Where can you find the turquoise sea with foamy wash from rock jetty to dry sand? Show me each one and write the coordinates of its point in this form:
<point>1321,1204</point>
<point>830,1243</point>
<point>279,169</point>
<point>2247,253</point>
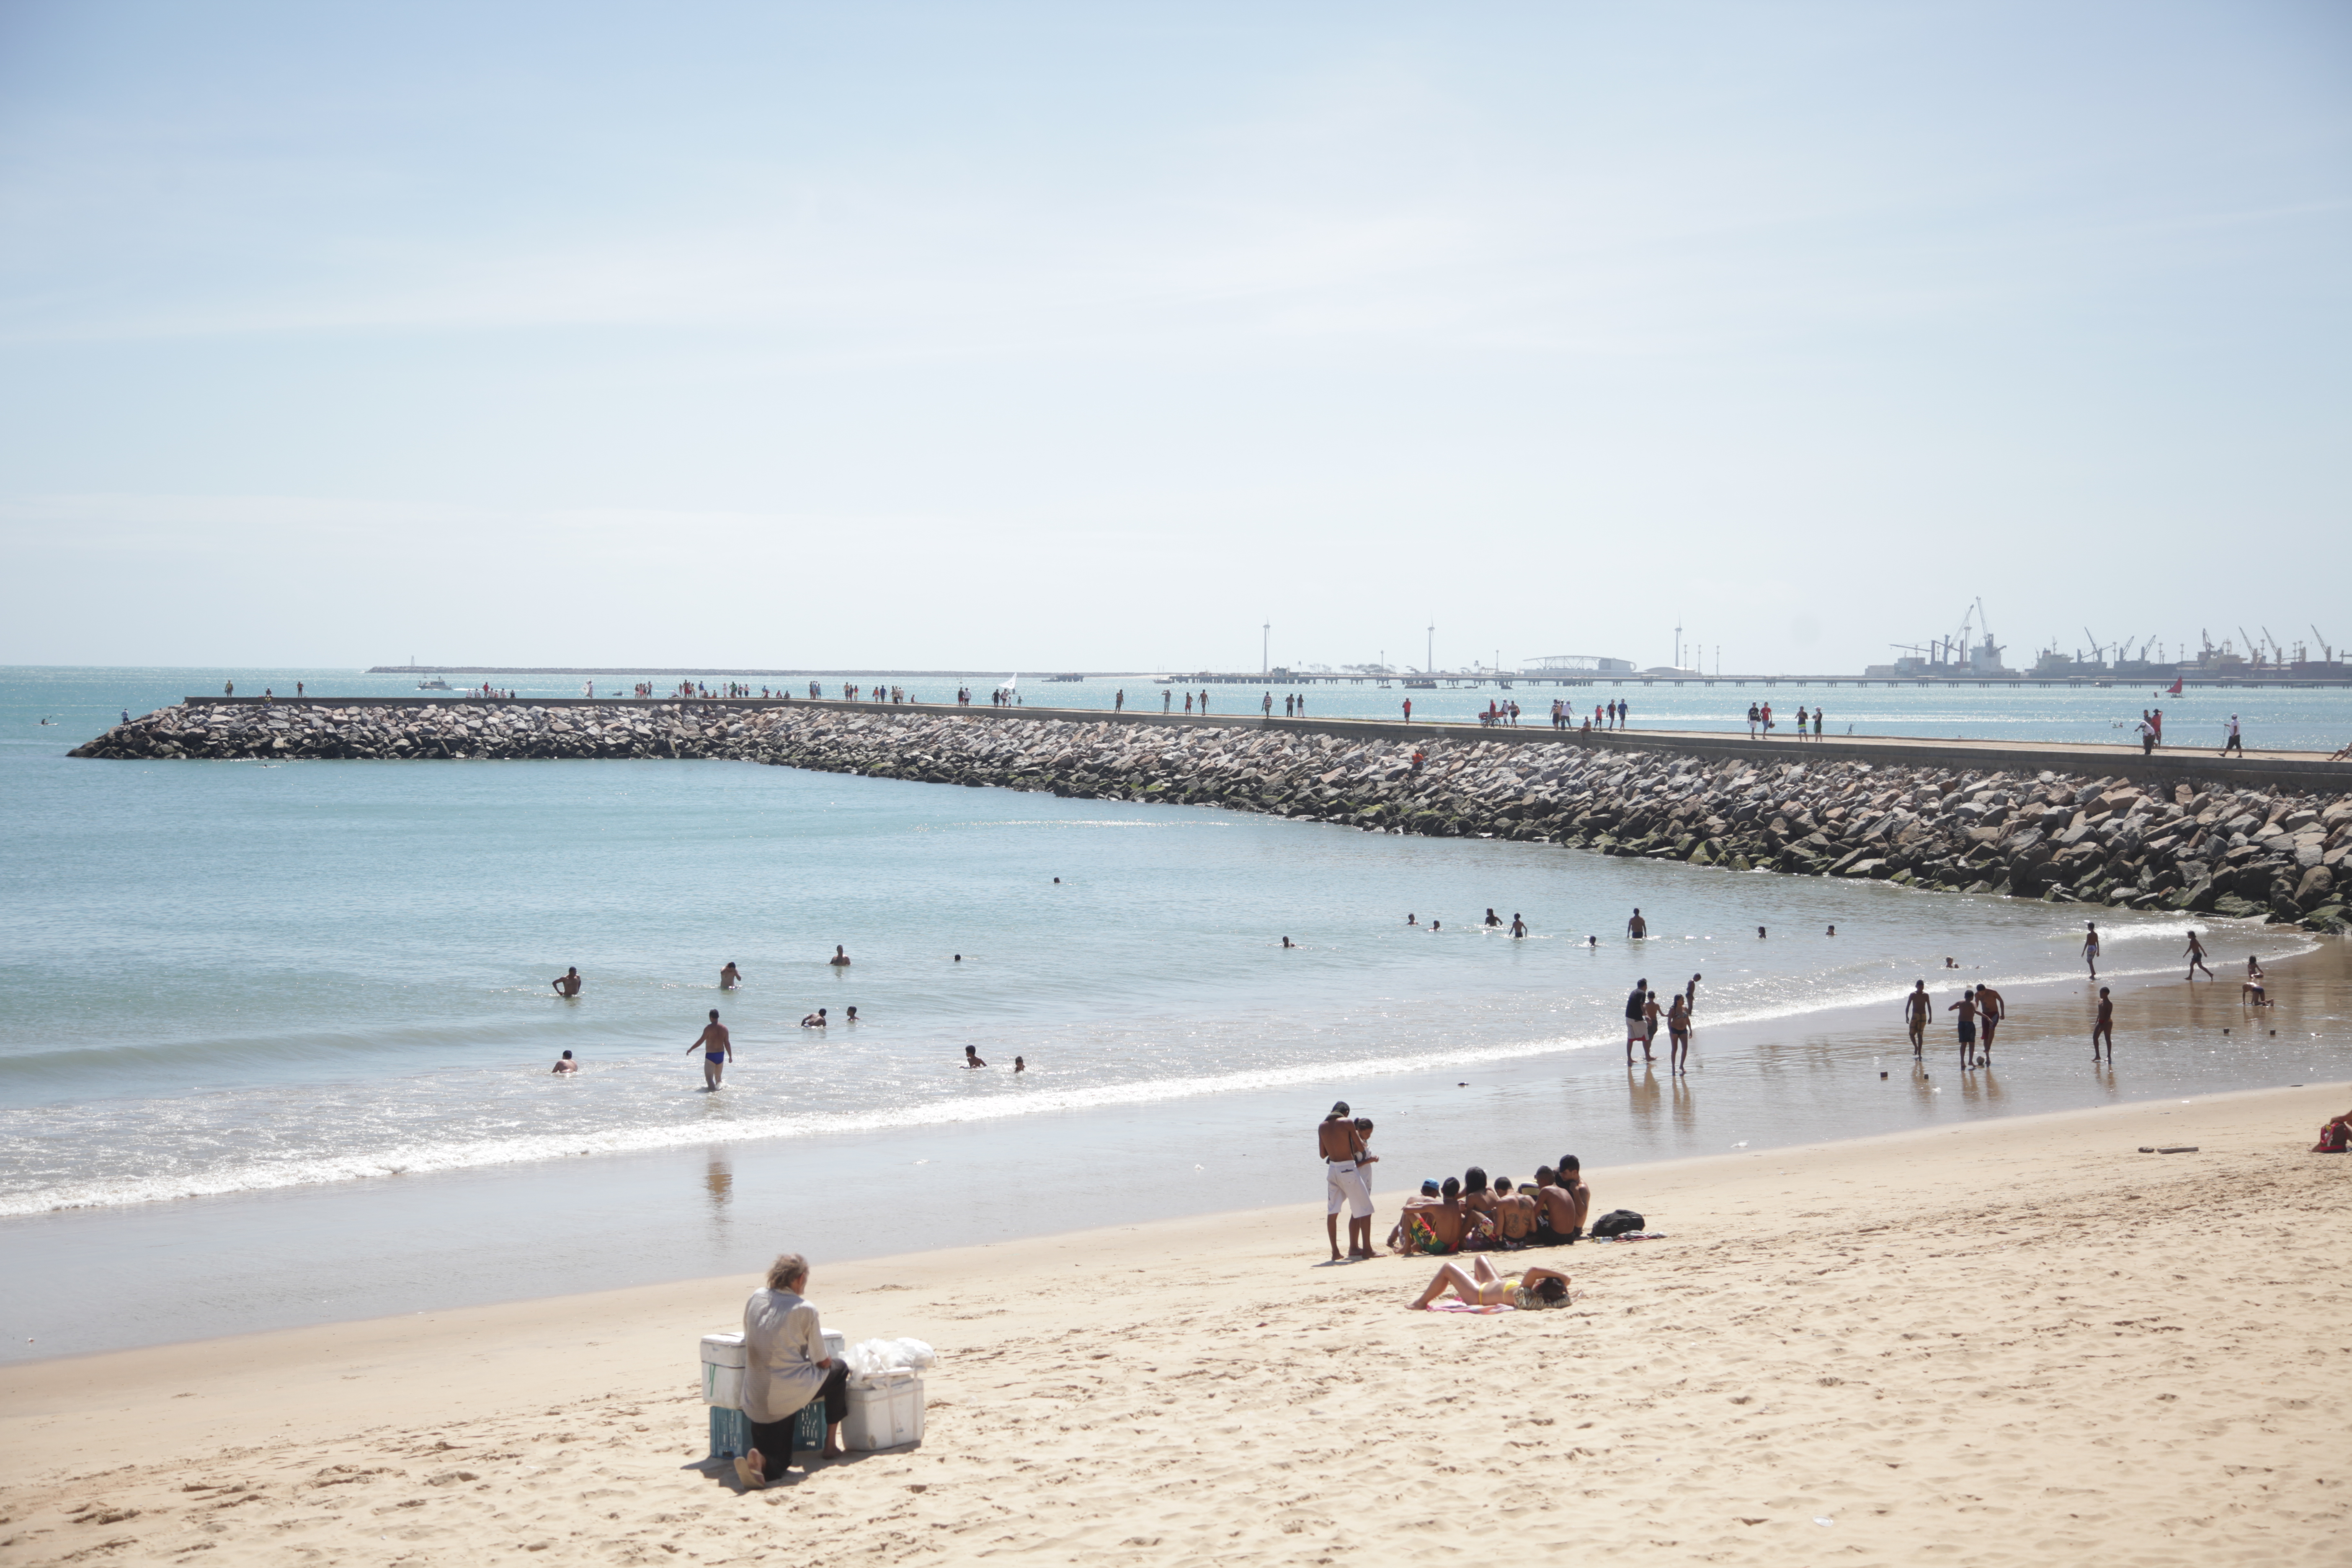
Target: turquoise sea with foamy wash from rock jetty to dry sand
<point>281,1036</point>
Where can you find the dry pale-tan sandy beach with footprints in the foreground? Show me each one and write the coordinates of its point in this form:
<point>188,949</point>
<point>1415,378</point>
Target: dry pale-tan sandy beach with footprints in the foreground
<point>2005,1343</point>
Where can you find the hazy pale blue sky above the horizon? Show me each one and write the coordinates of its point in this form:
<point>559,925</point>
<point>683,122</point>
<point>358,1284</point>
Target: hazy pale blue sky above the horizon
<point>1095,337</point>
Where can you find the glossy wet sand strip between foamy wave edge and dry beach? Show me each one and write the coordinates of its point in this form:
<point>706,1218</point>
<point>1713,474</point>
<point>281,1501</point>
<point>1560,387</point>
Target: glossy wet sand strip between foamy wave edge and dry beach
<point>323,1254</point>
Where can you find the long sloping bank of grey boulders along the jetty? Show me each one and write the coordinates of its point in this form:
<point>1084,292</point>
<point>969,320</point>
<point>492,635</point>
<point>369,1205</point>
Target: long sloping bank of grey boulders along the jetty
<point>2062,836</point>
